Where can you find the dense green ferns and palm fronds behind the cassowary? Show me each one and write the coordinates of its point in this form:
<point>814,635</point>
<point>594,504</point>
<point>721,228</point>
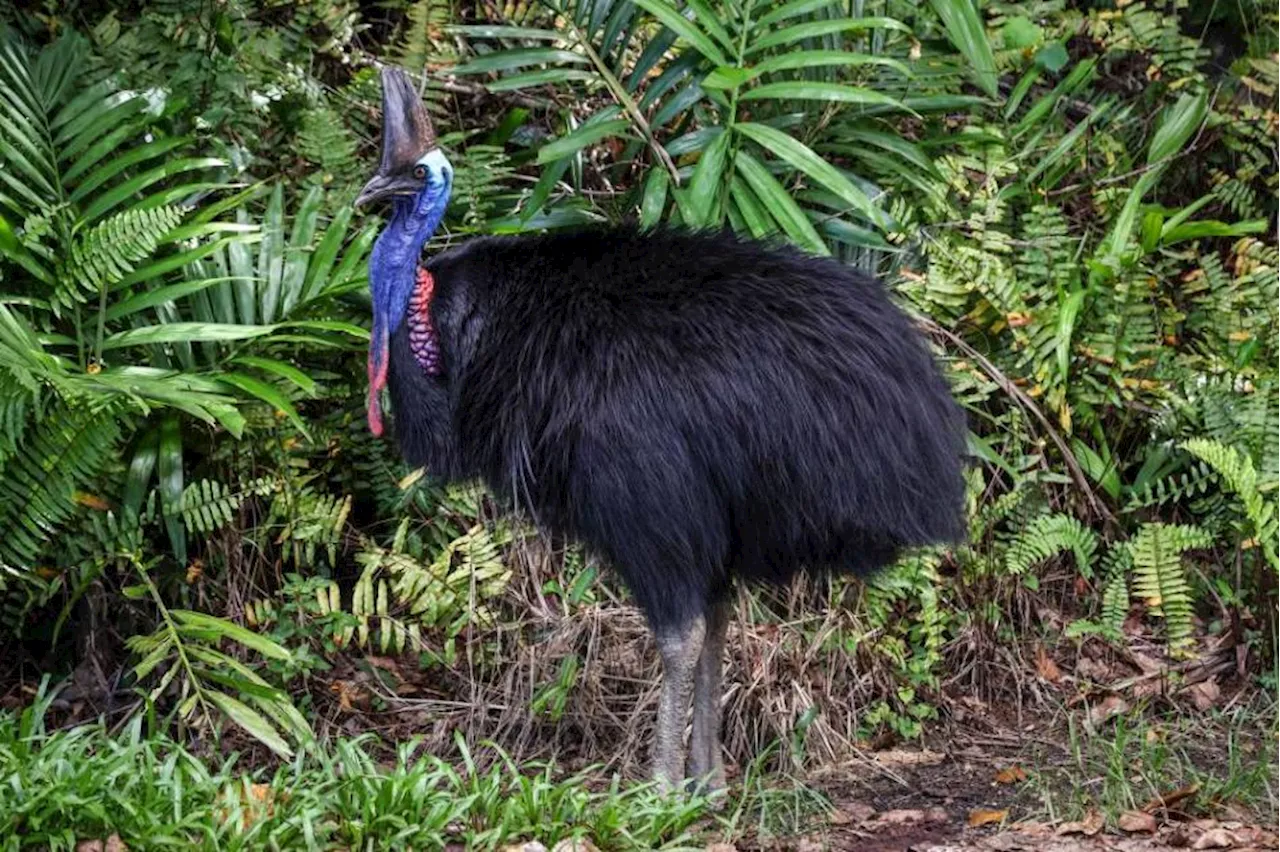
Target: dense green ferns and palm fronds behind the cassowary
<point>1081,201</point>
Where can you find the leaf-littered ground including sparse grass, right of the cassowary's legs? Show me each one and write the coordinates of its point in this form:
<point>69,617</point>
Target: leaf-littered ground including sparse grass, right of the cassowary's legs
<point>1137,787</point>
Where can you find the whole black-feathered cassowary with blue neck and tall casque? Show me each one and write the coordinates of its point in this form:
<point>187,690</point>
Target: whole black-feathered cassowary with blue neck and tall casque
<point>694,407</point>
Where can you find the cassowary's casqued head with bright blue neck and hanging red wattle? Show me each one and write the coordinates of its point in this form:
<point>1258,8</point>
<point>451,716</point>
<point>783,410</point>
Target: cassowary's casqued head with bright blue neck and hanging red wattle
<point>417,178</point>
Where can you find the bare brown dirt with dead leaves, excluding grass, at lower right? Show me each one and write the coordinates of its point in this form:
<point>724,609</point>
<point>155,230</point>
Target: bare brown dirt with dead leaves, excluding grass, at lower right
<point>977,796</point>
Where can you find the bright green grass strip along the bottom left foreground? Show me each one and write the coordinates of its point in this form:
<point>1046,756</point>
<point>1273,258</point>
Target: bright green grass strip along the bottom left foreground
<point>61,787</point>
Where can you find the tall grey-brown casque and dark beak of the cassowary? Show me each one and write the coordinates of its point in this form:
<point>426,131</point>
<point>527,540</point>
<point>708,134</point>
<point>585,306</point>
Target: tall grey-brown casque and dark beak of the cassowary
<point>408,135</point>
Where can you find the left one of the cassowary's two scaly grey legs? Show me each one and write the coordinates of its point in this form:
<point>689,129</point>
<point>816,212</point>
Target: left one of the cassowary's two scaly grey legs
<point>680,649</point>
